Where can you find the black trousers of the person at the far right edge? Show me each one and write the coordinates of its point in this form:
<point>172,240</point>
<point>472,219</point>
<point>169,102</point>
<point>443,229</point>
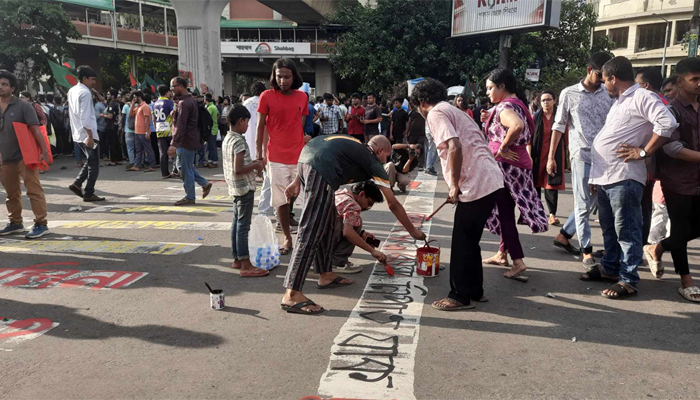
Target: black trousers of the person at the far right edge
<point>684,213</point>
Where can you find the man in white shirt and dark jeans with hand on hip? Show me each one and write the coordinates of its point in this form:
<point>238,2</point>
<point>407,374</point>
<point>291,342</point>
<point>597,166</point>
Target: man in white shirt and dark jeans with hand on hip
<point>637,125</point>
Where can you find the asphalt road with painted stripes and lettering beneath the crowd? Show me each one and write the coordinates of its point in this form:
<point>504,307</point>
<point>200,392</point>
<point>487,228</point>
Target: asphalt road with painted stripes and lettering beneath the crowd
<point>150,333</point>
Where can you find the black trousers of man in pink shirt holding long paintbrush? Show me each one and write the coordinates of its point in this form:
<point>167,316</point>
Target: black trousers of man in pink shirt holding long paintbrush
<point>466,271</point>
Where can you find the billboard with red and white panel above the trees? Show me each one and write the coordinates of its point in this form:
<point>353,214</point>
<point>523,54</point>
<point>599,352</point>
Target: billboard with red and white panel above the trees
<point>474,17</point>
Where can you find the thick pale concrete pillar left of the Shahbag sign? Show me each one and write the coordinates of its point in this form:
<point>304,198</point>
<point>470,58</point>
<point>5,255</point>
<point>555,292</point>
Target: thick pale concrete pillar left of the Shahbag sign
<point>199,41</point>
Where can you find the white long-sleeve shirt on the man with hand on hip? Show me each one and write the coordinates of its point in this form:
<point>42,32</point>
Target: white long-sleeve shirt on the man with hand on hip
<point>633,119</point>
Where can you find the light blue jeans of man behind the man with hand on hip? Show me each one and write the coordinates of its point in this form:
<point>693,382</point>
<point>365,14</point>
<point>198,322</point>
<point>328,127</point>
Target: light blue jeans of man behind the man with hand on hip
<point>584,202</point>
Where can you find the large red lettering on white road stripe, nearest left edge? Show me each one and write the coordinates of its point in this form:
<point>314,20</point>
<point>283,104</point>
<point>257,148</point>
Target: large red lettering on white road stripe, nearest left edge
<point>35,277</point>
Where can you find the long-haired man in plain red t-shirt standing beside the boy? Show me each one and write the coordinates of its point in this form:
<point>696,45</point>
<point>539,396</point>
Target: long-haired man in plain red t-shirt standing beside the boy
<point>282,110</point>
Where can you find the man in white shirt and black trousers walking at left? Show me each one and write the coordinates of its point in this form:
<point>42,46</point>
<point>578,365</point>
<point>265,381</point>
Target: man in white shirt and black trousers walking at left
<point>84,128</point>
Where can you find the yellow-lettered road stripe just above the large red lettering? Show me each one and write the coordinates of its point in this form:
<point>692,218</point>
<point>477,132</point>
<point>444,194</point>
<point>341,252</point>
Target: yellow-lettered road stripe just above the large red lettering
<point>96,246</point>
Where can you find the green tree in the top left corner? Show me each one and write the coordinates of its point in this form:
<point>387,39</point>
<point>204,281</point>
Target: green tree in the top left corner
<point>32,32</point>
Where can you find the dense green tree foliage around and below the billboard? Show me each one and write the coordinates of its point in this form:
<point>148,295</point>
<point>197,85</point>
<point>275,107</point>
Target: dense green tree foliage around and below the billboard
<point>404,39</point>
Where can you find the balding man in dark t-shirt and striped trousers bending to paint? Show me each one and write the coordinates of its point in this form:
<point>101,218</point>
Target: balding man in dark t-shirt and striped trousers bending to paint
<point>325,163</point>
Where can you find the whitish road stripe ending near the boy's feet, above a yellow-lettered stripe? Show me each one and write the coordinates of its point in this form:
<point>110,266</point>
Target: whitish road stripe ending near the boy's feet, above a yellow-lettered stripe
<point>165,225</point>
